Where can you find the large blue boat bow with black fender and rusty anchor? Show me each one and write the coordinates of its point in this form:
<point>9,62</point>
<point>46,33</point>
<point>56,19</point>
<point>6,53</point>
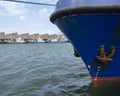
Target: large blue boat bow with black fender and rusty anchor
<point>93,28</point>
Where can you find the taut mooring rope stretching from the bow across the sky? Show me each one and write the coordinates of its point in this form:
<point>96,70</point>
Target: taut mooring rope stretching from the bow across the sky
<point>27,2</point>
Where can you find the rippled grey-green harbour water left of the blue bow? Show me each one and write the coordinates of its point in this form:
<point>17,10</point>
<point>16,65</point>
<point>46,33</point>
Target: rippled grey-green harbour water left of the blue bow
<point>42,70</point>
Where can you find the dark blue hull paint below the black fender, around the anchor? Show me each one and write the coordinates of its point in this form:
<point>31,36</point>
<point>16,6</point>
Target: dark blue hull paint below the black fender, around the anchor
<point>87,33</point>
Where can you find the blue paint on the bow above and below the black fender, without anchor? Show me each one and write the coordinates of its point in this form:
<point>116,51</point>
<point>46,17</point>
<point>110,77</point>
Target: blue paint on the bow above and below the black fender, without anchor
<point>87,32</point>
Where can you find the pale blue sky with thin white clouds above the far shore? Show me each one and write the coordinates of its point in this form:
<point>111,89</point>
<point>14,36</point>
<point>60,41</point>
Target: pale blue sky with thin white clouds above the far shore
<point>27,18</point>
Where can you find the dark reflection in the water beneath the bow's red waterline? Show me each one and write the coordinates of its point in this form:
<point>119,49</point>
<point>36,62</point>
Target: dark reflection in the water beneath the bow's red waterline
<point>100,89</point>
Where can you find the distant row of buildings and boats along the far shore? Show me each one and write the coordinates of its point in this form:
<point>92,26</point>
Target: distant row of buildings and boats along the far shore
<point>27,38</point>
